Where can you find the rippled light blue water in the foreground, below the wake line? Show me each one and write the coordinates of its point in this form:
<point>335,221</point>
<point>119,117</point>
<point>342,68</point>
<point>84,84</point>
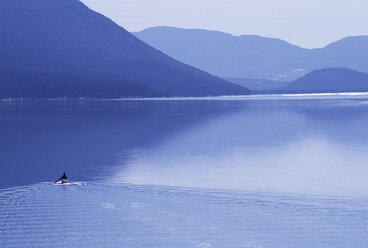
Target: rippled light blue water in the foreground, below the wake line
<point>119,215</point>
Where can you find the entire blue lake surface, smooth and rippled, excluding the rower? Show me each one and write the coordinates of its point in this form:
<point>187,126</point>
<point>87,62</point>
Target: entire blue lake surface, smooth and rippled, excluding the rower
<point>213,172</point>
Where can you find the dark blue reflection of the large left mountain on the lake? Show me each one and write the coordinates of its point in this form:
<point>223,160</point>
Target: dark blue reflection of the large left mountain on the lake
<point>40,139</point>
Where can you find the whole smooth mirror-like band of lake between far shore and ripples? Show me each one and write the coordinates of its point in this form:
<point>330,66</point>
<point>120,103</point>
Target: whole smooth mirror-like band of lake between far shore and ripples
<point>310,146</point>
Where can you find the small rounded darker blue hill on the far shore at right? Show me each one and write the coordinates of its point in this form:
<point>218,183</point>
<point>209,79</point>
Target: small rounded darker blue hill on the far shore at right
<point>329,80</point>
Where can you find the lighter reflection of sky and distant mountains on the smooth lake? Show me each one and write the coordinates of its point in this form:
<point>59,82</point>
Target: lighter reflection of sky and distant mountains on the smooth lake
<point>309,147</point>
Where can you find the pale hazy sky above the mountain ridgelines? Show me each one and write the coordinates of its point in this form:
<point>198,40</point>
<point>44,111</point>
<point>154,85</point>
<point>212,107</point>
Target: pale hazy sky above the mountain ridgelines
<point>307,23</point>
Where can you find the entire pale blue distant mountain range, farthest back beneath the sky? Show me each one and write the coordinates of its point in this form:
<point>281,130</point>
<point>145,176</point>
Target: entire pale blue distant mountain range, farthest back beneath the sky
<point>250,56</point>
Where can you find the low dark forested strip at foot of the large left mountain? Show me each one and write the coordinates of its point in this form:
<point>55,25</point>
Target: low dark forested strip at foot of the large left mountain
<point>15,84</point>
